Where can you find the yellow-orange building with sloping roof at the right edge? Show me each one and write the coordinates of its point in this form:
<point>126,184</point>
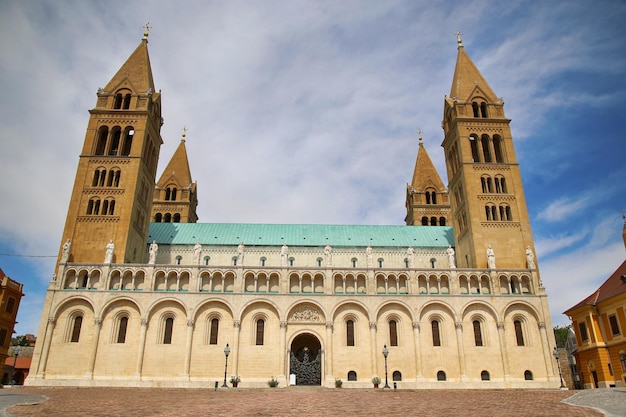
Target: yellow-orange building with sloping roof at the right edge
<point>599,322</point>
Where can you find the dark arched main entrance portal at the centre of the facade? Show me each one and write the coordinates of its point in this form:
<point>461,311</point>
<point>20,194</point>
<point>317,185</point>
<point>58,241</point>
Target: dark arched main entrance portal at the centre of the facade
<point>306,360</point>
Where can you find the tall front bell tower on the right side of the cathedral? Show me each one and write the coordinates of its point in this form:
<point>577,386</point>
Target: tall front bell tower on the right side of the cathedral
<point>487,197</point>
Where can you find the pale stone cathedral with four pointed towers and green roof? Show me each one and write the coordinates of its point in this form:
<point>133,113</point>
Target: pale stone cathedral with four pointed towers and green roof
<point>145,296</point>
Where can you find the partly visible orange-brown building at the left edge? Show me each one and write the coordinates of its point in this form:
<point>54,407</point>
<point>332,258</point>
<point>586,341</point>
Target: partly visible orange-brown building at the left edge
<point>10,297</point>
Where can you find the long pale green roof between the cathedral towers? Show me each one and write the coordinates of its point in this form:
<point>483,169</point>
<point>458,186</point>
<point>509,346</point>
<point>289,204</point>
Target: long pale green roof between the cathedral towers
<point>300,235</point>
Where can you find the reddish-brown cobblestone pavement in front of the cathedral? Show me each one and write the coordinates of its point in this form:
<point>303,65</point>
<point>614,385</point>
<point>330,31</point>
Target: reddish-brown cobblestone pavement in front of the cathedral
<point>109,402</point>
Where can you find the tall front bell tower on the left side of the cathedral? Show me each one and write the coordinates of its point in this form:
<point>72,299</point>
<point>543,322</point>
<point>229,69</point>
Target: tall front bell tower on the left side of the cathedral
<point>112,195</point>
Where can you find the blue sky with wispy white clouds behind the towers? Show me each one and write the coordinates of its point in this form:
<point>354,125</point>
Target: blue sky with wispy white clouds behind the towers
<point>306,112</point>
